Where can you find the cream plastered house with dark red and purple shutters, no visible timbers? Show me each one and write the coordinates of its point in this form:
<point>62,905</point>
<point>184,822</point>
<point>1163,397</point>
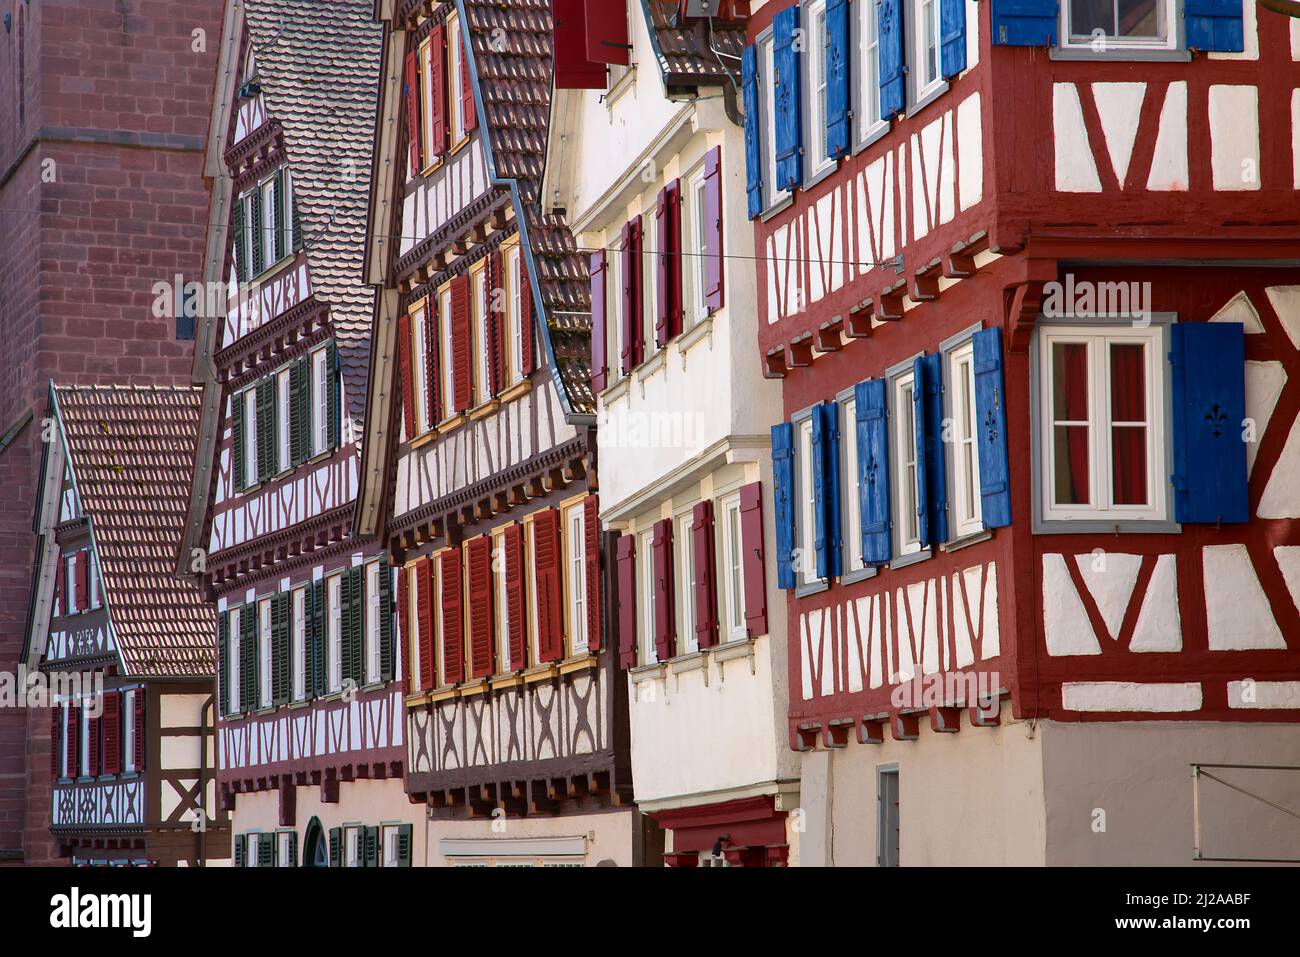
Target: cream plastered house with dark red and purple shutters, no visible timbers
<point>653,89</point>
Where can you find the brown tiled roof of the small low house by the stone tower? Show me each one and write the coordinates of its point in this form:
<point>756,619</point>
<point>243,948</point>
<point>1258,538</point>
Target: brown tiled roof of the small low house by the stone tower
<point>132,456</point>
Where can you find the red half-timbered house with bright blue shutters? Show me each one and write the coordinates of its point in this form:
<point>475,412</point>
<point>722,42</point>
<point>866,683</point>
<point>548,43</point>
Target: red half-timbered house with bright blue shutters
<point>1029,276</point>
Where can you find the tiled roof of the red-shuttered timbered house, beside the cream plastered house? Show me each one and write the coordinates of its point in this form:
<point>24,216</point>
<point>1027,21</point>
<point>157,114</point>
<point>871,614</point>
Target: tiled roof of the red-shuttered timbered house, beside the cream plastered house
<point>515,80</point>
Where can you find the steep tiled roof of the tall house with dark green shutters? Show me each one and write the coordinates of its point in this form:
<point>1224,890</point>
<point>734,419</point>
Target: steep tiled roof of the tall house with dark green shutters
<point>319,63</point>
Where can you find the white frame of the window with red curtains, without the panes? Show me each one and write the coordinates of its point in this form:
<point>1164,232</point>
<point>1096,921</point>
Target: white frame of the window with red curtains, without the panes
<point>1099,337</point>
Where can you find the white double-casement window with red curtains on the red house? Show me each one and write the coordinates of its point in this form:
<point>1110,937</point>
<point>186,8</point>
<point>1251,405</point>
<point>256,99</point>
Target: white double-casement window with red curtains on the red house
<point>1103,451</point>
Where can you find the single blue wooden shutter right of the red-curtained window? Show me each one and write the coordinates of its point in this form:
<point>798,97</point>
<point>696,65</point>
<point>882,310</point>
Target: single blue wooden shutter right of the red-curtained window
<point>1210,406</point>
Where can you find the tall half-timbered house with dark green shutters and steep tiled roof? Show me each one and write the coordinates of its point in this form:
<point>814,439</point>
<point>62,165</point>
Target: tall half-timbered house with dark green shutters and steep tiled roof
<point>310,734</point>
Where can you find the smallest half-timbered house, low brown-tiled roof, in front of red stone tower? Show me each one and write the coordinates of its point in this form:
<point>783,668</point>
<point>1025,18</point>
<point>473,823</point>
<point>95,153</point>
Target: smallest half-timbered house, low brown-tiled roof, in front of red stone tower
<point>123,648</point>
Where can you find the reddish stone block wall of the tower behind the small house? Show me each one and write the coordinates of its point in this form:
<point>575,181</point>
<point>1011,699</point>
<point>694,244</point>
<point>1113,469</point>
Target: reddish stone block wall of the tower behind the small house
<point>115,103</point>
